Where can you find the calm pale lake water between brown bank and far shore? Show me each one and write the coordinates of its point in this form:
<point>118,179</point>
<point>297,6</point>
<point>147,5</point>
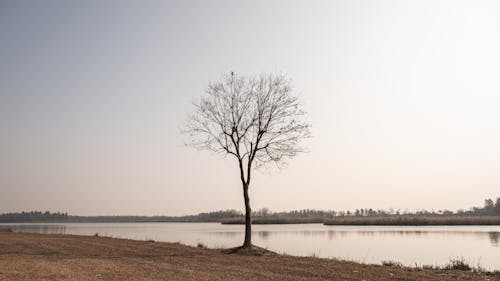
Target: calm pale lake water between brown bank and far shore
<point>432,245</point>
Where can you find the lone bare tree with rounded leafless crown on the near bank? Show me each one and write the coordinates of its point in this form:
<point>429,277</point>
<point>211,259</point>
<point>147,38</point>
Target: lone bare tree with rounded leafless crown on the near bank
<point>258,120</point>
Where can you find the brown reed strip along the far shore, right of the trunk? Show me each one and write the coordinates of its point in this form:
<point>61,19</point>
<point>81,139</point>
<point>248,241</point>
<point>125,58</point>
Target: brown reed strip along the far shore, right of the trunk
<point>393,220</point>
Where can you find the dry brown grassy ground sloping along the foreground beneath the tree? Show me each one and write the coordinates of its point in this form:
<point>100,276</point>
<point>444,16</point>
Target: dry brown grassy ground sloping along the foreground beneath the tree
<point>69,257</point>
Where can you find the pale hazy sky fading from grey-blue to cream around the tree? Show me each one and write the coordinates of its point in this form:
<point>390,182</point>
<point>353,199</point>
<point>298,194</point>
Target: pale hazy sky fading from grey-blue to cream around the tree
<point>403,98</point>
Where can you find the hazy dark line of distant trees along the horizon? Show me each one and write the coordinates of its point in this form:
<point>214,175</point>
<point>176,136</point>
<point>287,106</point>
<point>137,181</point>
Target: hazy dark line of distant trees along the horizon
<point>490,208</point>
